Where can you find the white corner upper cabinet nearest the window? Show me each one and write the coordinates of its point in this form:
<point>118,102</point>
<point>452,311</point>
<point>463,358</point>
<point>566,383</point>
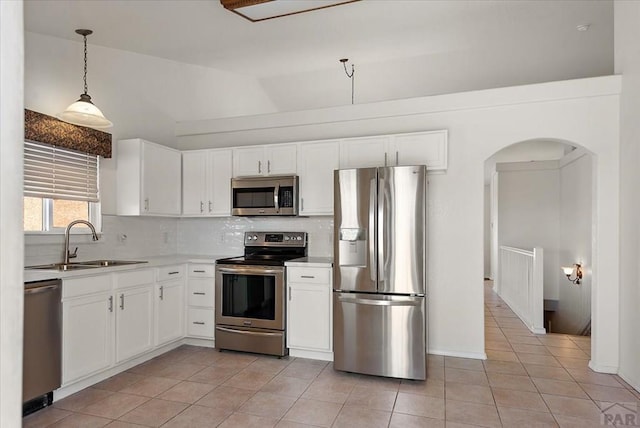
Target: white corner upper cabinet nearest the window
<point>149,179</point>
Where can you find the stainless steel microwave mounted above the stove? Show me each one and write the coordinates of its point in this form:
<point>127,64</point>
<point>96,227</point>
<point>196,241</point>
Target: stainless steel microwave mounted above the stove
<point>274,195</point>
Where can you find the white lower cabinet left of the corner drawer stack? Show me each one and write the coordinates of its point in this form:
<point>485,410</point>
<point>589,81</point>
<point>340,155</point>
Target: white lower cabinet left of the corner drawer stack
<point>170,304</point>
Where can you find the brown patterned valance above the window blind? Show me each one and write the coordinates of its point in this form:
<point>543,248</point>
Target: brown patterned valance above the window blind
<point>45,129</point>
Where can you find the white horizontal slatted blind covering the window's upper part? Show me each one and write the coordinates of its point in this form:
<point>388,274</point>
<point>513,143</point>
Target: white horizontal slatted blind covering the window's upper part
<point>58,173</point>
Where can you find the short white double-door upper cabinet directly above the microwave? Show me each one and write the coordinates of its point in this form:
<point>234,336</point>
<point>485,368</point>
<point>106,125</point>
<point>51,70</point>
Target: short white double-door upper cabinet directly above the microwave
<point>277,159</point>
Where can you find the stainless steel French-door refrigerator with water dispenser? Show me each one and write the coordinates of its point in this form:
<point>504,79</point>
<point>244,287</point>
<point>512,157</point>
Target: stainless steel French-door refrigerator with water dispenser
<point>379,279</point>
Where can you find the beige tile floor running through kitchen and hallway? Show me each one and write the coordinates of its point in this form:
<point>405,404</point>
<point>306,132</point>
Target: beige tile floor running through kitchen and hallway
<point>526,381</point>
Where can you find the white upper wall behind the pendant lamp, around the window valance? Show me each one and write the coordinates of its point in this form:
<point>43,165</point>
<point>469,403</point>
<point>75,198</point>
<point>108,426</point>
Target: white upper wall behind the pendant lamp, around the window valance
<point>143,96</point>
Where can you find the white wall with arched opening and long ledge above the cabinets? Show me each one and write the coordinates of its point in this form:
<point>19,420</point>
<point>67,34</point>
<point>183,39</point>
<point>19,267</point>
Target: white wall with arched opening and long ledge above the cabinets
<point>480,124</point>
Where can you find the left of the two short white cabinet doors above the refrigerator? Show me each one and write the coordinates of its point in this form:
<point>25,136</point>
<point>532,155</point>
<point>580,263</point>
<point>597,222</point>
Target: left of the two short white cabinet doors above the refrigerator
<point>363,152</point>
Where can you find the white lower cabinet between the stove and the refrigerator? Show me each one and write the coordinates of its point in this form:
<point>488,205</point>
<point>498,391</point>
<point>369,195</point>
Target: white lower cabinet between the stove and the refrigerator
<point>309,312</point>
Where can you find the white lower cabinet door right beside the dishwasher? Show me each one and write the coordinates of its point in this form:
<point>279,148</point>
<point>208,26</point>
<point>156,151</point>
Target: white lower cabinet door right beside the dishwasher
<point>87,335</point>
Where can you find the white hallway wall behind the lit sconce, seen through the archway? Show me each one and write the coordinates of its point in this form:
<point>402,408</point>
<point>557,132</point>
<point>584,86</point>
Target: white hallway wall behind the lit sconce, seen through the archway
<point>574,244</point>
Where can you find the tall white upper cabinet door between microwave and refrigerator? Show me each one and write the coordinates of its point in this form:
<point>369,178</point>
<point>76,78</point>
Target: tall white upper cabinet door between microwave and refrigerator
<point>316,162</point>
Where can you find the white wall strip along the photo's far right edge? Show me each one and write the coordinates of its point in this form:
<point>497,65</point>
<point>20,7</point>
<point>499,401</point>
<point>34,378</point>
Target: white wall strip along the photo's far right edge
<point>627,55</point>
